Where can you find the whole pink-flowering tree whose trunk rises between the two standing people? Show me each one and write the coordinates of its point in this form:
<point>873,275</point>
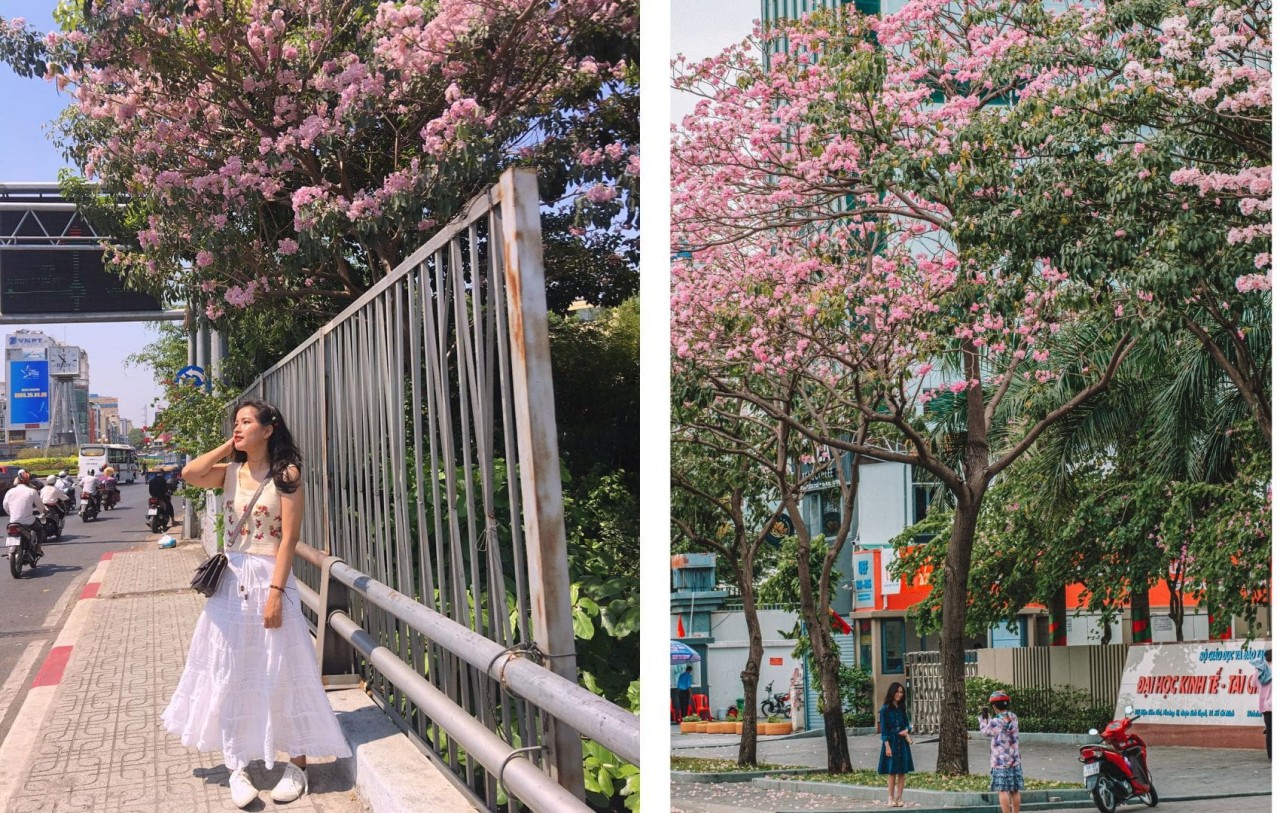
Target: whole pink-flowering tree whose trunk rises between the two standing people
<point>857,209</point>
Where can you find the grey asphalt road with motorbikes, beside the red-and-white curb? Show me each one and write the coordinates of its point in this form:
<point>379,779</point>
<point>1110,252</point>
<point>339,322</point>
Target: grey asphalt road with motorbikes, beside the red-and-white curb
<point>34,609</point>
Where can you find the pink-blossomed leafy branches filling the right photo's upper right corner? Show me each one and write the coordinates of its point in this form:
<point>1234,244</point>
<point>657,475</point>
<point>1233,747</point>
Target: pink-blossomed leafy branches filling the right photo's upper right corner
<point>1164,136</point>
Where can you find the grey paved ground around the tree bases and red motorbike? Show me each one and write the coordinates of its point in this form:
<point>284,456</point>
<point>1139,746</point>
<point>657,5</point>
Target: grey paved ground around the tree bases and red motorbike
<point>1180,773</point>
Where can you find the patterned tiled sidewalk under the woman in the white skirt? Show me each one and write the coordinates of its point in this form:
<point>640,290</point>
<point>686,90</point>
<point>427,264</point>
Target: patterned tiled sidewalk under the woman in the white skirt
<point>103,747</point>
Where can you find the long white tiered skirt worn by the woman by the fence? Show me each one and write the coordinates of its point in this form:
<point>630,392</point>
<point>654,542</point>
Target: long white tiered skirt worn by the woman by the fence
<point>248,691</point>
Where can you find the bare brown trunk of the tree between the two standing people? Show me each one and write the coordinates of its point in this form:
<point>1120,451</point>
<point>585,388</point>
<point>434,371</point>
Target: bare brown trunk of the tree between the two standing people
<point>953,736</point>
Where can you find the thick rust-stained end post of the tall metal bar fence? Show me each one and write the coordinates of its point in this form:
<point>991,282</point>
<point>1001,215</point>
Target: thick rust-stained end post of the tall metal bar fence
<point>540,456</point>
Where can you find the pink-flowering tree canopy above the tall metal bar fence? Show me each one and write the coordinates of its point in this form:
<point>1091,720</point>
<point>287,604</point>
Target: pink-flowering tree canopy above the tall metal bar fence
<point>295,152</point>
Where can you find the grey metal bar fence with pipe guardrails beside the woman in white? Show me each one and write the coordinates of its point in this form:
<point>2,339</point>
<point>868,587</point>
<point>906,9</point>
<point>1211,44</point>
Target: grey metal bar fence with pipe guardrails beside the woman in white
<point>427,417</point>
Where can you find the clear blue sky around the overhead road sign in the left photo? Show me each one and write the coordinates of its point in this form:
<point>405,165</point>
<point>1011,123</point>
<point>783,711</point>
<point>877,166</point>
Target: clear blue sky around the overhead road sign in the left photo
<point>26,154</point>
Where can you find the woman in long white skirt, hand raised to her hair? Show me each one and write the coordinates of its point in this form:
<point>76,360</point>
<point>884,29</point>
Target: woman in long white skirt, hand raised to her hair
<point>252,687</point>
